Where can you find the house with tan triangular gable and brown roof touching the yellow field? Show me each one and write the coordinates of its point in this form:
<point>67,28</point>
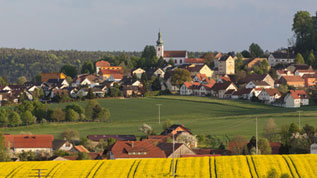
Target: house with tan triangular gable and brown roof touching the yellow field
<point>180,150</point>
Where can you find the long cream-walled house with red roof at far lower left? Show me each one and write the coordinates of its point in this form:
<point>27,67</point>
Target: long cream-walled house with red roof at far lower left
<point>35,143</point>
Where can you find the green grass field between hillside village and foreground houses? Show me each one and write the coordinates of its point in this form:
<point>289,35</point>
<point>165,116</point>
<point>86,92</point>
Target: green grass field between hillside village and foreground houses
<point>202,115</point>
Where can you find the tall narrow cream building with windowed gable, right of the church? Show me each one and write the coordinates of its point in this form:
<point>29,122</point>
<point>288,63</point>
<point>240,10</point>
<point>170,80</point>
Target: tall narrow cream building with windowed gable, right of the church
<point>226,65</point>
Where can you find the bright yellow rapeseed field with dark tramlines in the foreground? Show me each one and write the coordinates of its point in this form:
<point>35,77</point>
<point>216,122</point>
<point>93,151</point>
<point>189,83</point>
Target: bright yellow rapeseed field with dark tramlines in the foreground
<point>221,167</point>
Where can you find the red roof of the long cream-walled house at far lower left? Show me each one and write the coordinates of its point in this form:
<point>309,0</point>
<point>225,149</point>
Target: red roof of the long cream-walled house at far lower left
<point>29,141</point>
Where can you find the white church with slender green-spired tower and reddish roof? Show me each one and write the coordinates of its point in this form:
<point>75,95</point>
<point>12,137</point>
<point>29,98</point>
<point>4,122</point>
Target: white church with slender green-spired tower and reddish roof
<point>178,57</point>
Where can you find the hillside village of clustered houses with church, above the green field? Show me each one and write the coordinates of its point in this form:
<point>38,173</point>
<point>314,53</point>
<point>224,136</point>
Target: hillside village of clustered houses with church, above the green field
<point>282,80</point>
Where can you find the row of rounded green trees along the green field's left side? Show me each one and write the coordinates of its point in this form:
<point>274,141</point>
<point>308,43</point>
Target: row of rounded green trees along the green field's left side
<point>32,112</point>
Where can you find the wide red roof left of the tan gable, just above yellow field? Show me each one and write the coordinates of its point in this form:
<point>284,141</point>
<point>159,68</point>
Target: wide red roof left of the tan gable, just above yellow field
<point>136,149</point>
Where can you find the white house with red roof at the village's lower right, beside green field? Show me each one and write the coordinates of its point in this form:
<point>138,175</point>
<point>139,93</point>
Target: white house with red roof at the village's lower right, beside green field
<point>296,98</point>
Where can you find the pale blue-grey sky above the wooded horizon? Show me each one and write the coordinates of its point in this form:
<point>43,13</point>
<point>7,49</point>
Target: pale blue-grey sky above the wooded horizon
<point>129,25</point>
